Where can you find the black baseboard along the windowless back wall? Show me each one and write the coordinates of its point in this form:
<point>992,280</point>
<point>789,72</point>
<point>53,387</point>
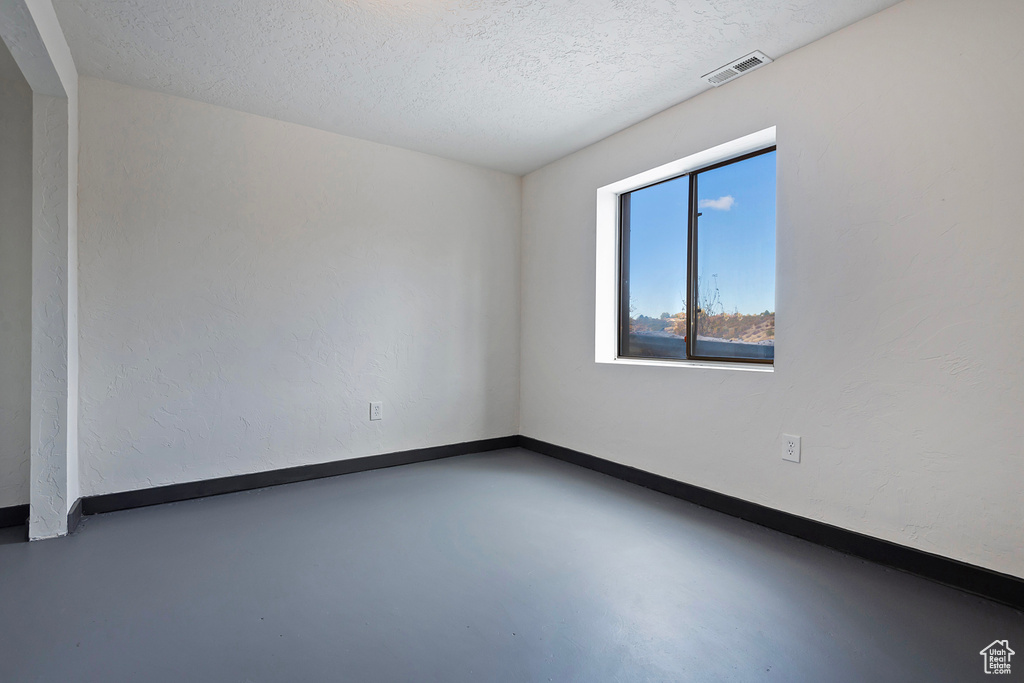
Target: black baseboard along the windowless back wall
<point>93,505</point>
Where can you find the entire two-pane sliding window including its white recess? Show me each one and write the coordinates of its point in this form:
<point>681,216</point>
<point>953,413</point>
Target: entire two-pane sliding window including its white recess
<point>696,259</point>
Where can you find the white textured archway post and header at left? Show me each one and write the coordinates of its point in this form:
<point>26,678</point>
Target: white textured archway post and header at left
<point>31,32</point>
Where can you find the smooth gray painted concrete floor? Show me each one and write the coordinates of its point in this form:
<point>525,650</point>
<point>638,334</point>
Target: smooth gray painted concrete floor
<point>499,567</point>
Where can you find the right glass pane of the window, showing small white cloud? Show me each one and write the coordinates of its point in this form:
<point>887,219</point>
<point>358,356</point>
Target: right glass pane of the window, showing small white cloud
<point>736,261</point>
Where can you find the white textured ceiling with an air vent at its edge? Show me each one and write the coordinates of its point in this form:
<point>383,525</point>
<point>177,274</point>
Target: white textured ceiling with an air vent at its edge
<point>506,84</point>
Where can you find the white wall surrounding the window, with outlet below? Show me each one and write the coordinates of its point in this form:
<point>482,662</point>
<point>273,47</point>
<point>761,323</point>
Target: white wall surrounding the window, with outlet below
<point>900,293</point>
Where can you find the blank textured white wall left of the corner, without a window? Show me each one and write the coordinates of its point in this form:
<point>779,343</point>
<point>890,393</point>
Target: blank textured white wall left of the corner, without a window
<point>248,286</point>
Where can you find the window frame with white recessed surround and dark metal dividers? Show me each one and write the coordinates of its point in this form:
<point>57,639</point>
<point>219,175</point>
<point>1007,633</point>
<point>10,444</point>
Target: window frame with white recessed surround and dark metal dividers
<point>613,253</point>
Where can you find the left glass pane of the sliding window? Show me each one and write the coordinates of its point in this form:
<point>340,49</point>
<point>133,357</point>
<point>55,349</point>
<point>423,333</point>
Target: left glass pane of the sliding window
<point>657,271</point>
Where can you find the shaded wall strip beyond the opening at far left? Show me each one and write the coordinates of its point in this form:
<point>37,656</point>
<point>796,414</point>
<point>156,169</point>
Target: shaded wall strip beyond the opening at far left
<point>16,281</point>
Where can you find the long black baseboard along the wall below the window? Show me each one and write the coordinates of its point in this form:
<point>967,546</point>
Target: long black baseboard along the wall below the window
<point>993,585</point>
